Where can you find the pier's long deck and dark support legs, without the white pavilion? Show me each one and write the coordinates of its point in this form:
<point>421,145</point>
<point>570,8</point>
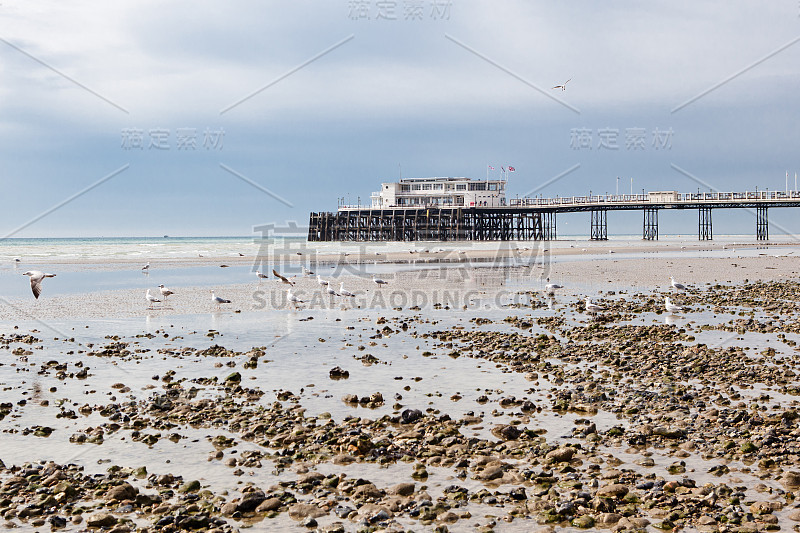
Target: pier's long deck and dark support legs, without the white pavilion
<point>535,218</point>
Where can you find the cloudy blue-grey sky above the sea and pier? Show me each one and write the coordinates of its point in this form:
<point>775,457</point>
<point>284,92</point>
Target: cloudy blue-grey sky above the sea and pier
<point>209,118</point>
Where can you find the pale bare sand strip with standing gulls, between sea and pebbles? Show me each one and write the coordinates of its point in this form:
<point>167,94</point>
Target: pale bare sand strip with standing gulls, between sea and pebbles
<point>448,284</point>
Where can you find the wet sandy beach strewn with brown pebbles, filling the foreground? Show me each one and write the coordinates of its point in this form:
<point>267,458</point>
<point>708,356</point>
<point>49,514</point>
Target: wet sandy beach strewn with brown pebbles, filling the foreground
<point>457,397</point>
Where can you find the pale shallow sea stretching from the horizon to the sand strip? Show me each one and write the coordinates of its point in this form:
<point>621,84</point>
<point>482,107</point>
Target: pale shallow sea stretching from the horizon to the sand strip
<point>91,264</point>
